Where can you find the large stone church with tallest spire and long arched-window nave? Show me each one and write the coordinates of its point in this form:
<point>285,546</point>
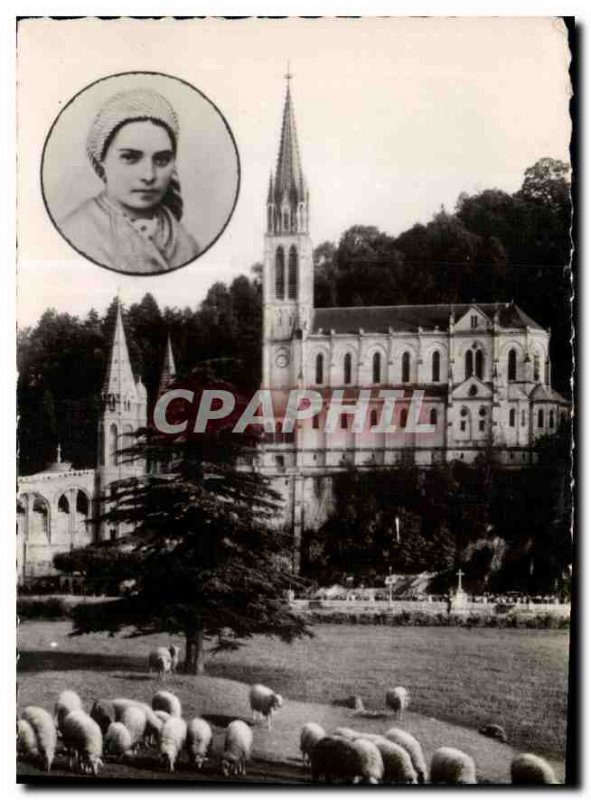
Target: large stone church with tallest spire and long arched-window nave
<point>480,374</point>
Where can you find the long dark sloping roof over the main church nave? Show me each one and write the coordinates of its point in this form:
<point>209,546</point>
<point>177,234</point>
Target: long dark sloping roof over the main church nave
<point>379,319</point>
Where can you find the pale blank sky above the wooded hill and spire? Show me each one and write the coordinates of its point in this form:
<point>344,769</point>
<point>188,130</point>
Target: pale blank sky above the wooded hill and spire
<point>395,118</point>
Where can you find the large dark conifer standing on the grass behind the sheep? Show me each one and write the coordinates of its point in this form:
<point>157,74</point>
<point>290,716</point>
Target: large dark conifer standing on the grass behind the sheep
<point>206,561</point>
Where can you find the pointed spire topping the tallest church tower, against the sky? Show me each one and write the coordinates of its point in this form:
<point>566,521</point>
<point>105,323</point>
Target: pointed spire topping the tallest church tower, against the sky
<point>287,199</point>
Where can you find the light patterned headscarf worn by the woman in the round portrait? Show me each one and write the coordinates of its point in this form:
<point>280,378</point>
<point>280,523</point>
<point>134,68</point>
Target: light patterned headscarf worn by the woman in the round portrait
<point>129,106</point>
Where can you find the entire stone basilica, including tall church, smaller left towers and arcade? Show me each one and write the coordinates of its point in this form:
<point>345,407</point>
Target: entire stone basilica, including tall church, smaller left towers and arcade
<point>482,372</point>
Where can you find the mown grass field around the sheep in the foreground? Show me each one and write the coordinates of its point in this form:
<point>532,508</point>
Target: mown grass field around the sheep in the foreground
<point>459,679</point>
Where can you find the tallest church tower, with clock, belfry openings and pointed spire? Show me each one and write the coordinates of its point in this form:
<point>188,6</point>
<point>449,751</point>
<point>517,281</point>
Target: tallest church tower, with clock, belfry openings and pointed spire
<point>288,270</point>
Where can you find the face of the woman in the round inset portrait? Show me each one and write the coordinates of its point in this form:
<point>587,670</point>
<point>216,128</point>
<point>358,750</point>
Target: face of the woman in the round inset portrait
<point>138,166</point>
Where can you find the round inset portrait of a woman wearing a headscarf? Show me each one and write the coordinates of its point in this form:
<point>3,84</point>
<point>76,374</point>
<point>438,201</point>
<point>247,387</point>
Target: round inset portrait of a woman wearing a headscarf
<point>133,216</point>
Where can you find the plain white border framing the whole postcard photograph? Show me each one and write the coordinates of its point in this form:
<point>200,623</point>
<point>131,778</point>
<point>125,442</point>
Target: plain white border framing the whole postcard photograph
<point>8,13</point>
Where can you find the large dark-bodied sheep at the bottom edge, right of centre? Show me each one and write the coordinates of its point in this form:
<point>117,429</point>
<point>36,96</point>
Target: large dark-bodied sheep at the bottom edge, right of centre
<point>350,760</point>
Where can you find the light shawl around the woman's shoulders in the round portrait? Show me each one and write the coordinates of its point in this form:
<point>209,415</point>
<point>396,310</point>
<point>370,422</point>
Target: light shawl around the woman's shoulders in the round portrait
<point>105,234</point>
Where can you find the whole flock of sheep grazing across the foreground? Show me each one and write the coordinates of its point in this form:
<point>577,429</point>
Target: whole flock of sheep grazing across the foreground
<point>118,728</point>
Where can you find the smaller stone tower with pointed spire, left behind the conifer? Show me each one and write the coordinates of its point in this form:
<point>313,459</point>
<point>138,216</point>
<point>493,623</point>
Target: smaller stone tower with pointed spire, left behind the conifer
<point>124,409</point>
